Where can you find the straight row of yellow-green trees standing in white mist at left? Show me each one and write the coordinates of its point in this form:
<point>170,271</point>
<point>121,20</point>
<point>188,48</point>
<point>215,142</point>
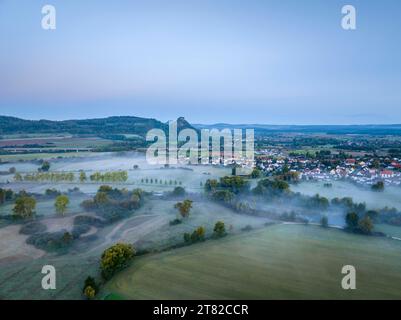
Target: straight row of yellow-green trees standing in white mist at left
<point>114,176</point>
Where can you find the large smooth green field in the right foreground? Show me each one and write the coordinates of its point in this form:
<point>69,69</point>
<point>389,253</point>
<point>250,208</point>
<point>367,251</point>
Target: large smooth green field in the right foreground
<point>277,262</point>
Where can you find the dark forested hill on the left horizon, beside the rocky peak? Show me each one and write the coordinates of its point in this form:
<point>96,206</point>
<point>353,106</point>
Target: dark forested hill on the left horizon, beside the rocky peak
<point>102,126</point>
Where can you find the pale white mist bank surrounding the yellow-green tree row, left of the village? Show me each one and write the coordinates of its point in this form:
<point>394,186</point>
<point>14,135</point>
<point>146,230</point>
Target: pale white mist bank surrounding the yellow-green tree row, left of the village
<point>148,177</point>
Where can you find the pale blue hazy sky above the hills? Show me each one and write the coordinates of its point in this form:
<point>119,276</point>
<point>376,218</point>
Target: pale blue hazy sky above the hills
<point>253,61</point>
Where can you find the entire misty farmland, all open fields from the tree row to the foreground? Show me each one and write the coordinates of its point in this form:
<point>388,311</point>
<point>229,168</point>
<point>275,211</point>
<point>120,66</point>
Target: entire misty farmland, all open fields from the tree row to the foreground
<point>261,257</point>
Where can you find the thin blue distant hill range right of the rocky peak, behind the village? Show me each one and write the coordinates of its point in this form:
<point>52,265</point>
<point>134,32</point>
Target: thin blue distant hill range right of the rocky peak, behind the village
<point>372,129</point>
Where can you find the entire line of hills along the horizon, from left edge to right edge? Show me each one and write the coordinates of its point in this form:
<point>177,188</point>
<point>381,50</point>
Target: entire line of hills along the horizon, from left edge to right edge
<point>140,126</point>
